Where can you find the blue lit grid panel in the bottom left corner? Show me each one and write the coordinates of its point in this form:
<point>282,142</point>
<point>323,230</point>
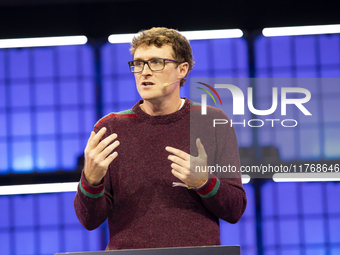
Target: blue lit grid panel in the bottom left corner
<point>43,224</point>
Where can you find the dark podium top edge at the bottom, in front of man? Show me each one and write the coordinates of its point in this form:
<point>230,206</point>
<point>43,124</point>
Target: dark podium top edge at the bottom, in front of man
<point>196,250</point>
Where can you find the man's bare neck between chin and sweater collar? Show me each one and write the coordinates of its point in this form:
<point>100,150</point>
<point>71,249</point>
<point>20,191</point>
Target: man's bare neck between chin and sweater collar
<point>160,107</point>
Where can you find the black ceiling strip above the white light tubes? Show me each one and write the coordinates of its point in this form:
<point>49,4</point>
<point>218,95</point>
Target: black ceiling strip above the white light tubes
<point>100,18</point>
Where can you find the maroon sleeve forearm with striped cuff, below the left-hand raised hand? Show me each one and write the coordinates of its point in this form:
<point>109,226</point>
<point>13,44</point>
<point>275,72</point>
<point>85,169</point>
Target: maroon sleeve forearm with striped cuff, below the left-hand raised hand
<point>93,203</point>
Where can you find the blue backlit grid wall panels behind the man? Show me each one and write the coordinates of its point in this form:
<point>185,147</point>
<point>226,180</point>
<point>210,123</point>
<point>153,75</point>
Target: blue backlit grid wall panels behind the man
<point>48,107</point>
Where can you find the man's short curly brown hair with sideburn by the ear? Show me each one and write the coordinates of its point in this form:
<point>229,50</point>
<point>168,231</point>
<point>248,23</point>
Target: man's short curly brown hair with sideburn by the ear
<point>158,36</point>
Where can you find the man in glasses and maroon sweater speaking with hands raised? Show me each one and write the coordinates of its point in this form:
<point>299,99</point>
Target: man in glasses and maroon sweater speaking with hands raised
<point>140,163</point>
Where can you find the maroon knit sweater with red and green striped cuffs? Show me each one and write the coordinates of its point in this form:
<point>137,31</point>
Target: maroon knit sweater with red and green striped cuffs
<point>136,195</point>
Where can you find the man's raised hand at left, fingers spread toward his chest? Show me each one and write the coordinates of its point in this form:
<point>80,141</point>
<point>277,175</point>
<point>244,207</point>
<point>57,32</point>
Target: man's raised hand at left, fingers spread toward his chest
<point>98,157</point>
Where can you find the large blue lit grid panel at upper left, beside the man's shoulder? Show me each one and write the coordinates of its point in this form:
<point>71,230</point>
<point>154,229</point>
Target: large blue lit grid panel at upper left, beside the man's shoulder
<point>47,107</point>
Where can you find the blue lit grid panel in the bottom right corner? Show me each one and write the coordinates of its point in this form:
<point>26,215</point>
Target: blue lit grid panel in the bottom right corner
<point>297,217</point>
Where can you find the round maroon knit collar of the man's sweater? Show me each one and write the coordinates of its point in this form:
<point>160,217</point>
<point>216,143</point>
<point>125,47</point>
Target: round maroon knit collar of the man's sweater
<point>162,119</point>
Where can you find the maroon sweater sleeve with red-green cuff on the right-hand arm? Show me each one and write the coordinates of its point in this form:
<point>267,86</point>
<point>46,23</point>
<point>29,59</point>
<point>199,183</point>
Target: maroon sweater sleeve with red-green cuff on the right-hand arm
<point>223,193</point>
